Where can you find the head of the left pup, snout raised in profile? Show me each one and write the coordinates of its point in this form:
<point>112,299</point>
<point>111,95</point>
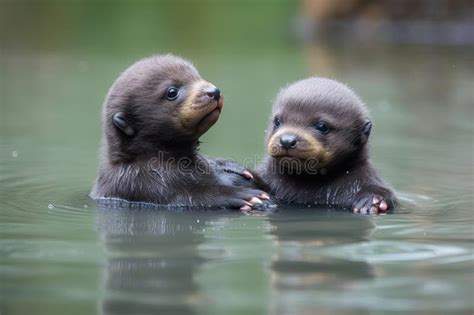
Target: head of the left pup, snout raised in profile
<point>159,103</point>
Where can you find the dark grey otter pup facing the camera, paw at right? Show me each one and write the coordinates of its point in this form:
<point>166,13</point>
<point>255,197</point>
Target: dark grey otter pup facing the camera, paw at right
<point>318,151</point>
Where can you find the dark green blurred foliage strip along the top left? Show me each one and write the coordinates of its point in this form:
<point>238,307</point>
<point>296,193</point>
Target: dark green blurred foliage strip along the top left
<point>130,26</point>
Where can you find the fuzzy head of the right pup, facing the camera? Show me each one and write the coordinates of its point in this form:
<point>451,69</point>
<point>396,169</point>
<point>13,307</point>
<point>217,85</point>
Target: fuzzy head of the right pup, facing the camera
<point>317,124</point>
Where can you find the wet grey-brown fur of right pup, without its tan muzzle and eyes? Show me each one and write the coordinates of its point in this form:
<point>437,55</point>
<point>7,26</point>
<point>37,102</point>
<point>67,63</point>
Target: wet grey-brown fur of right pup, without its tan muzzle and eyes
<point>348,176</point>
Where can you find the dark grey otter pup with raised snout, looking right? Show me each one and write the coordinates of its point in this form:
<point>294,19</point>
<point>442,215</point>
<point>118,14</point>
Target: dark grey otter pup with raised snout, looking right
<point>153,117</point>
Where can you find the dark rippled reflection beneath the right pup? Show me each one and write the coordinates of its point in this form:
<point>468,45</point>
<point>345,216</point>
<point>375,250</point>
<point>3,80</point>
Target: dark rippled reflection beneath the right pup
<point>300,274</point>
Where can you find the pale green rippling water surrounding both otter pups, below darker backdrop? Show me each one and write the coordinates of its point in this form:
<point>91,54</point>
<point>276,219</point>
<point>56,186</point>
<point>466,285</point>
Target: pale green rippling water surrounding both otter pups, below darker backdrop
<point>60,252</point>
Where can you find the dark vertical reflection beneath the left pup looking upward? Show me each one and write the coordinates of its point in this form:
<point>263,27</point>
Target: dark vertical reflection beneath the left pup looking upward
<point>152,256</point>
